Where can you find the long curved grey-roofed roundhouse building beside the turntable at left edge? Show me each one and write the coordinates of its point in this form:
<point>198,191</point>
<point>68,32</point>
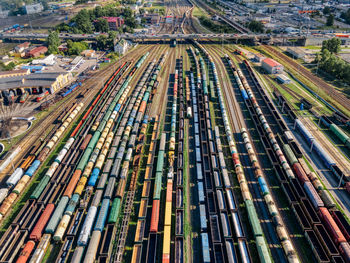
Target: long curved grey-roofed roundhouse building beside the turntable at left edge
<point>35,83</point>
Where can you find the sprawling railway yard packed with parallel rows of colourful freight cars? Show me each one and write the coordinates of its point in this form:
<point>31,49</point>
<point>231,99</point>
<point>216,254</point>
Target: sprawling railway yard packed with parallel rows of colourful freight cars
<point>180,152</point>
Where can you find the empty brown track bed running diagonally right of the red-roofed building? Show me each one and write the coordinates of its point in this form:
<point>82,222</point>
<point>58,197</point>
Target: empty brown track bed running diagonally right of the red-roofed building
<point>328,89</point>
